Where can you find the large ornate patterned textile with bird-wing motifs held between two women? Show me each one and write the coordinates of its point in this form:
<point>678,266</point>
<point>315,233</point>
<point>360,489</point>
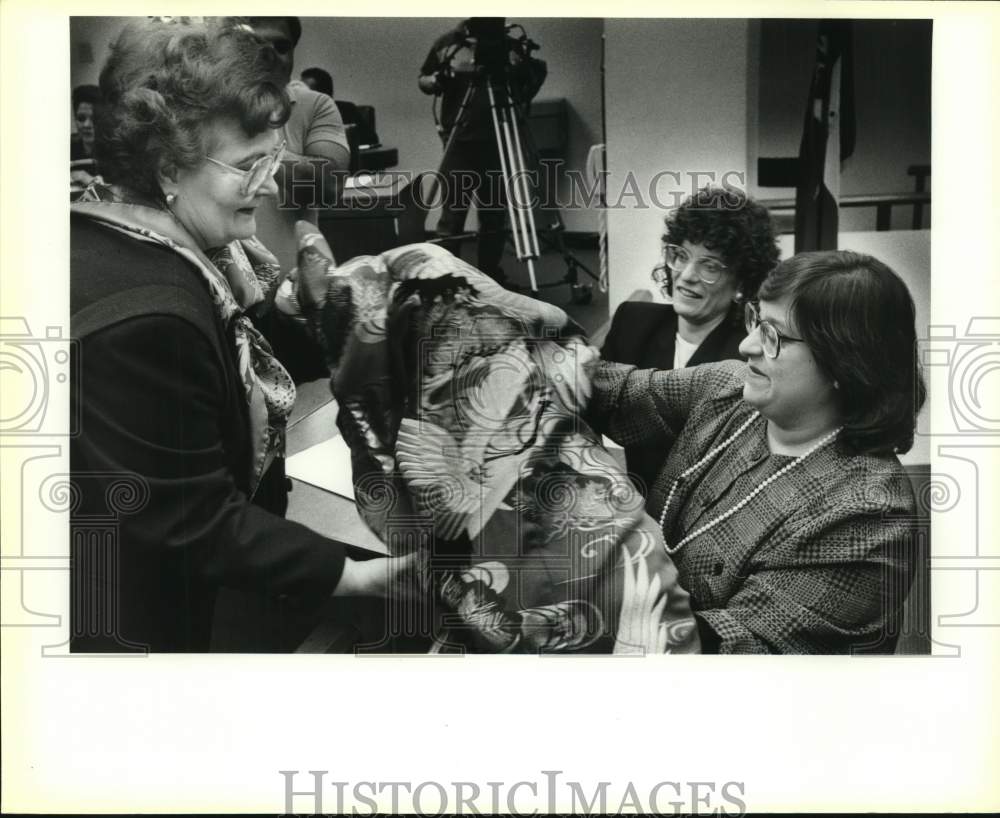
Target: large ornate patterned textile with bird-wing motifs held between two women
<point>461,403</point>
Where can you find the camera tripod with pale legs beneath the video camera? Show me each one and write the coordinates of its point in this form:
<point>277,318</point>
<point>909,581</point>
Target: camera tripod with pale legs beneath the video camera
<point>524,233</point>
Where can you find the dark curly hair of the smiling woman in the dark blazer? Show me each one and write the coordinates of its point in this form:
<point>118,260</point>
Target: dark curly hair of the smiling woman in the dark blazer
<point>728,222</point>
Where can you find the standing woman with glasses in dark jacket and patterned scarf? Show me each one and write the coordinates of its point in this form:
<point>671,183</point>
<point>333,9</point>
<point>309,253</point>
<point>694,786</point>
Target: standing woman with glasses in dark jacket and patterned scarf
<point>179,397</point>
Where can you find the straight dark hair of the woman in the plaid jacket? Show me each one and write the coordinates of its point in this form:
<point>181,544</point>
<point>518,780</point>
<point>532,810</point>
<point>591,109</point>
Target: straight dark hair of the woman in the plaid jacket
<point>858,318</point>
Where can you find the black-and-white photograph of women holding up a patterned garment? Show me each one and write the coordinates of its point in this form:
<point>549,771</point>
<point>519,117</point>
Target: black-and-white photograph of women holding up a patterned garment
<point>536,489</point>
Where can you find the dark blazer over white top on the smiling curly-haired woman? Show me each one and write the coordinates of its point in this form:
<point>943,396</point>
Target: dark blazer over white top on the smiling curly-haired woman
<point>643,334</point>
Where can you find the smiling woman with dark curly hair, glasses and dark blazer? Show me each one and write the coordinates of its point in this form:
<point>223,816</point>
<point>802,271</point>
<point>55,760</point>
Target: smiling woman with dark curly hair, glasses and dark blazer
<point>718,247</point>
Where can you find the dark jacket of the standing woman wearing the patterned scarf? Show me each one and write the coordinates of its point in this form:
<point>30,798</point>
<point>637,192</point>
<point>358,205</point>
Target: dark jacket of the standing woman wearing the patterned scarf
<point>161,465</point>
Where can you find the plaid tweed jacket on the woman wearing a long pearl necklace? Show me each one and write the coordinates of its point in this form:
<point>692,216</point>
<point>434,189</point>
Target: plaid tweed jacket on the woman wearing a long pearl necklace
<point>819,562</point>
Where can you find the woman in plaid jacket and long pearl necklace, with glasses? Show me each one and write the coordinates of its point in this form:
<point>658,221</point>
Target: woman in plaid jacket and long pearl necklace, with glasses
<point>782,500</point>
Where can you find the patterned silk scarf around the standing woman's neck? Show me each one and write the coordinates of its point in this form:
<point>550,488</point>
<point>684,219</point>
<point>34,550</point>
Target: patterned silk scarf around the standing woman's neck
<point>238,276</point>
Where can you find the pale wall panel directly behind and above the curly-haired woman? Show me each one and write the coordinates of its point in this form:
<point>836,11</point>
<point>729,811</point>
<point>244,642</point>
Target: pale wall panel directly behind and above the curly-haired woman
<point>676,101</point>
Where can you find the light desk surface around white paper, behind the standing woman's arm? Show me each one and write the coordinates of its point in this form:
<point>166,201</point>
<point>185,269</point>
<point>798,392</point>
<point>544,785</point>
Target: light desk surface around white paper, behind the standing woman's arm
<point>314,420</point>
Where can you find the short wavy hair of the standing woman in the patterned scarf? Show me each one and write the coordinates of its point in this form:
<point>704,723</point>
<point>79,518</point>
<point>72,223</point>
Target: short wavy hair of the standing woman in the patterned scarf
<point>164,80</point>
